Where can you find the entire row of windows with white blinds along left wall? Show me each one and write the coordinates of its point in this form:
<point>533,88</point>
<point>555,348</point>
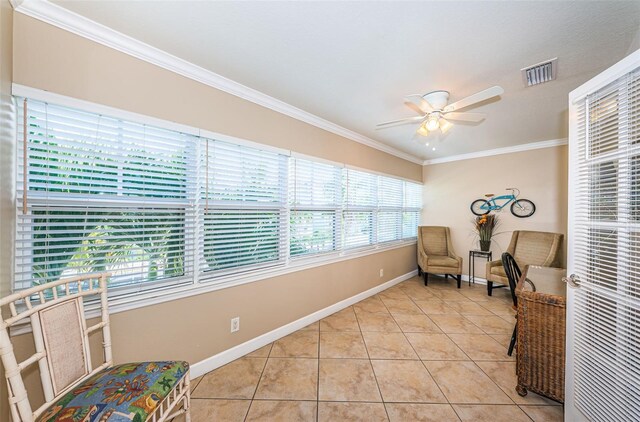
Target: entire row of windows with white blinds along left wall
<point>158,207</point>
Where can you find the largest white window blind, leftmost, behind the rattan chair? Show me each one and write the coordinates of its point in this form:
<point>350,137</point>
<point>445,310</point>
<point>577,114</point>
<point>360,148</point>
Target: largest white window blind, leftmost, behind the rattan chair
<point>101,194</point>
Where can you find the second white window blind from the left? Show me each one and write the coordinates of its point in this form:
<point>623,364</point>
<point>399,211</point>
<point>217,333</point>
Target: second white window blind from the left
<point>243,208</point>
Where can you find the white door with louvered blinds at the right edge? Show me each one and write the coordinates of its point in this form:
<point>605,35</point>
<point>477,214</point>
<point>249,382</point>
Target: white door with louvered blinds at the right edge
<point>603,312</point>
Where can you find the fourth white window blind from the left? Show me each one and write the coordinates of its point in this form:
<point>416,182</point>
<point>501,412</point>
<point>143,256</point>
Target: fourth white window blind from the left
<point>361,198</point>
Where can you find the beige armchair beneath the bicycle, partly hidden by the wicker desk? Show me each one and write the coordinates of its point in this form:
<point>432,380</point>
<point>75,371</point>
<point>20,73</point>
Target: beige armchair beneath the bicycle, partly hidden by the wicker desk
<point>528,248</point>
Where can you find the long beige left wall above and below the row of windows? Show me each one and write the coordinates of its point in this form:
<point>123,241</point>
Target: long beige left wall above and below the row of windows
<point>197,327</point>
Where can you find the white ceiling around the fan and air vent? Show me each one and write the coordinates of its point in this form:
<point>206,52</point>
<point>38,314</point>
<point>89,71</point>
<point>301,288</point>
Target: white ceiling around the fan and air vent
<point>352,62</point>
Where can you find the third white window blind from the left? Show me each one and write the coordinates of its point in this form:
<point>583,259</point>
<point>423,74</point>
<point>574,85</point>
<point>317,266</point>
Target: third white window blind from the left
<point>315,201</point>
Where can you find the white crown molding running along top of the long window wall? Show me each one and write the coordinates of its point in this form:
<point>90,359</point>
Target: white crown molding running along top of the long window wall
<point>72,22</point>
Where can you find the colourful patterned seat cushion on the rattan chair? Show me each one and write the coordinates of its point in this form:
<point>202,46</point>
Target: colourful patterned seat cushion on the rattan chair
<point>128,392</point>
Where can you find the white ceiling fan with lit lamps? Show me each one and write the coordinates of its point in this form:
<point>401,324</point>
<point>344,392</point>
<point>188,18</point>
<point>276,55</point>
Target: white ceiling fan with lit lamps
<point>435,113</point>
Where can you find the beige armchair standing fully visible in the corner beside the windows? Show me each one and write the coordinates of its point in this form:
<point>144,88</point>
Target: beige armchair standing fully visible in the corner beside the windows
<point>435,253</point>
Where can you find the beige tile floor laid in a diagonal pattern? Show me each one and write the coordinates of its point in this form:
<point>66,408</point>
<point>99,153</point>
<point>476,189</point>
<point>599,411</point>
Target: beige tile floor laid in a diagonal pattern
<point>410,353</point>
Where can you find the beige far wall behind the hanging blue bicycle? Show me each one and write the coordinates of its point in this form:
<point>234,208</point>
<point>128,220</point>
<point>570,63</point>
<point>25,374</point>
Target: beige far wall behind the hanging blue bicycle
<point>541,176</point>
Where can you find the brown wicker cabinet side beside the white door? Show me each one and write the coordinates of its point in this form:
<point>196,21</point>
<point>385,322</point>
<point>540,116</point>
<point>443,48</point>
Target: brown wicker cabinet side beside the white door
<point>541,343</point>
